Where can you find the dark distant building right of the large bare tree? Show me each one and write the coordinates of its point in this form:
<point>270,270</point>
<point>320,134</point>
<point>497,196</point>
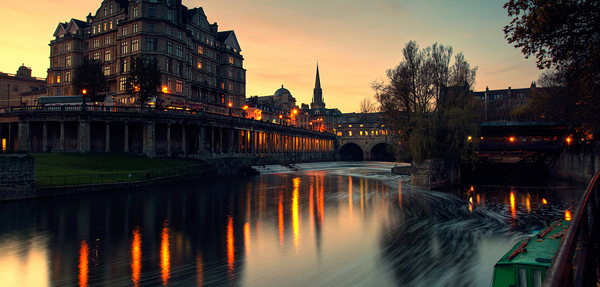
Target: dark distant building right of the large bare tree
<point>499,103</point>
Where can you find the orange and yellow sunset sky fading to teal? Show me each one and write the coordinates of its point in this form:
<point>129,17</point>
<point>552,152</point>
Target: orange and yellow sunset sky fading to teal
<point>354,42</point>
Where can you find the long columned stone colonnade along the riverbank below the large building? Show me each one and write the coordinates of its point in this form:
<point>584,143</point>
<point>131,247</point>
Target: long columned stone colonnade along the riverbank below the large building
<point>157,133</point>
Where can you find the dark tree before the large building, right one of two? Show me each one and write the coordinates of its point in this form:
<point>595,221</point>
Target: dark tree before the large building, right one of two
<point>144,81</point>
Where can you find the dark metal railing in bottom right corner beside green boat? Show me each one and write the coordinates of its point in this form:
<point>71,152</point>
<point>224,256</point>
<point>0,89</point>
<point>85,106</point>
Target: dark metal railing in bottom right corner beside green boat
<point>577,259</point>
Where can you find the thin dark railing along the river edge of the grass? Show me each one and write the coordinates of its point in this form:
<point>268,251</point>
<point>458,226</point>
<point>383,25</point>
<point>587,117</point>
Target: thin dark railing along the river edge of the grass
<point>109,178</point>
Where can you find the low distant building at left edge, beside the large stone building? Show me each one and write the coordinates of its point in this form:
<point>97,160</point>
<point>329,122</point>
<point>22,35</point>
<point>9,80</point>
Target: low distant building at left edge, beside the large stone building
<point>20,88</point>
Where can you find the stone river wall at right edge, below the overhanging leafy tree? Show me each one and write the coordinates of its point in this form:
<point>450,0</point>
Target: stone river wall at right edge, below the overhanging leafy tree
<point>579,167</point>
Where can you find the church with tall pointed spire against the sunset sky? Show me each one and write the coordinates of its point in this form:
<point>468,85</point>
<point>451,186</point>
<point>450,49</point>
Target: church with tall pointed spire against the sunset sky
<point>317,117</point>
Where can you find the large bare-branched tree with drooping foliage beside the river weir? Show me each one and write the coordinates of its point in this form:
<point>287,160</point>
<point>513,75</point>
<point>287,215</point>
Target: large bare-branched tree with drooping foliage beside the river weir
<point>430,102</point>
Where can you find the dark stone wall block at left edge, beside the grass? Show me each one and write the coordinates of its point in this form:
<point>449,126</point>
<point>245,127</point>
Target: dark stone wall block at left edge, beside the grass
<point>17,176</point>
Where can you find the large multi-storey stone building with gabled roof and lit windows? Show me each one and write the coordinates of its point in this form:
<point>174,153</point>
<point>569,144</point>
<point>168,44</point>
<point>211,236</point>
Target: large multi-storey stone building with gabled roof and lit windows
<point>198,62</point>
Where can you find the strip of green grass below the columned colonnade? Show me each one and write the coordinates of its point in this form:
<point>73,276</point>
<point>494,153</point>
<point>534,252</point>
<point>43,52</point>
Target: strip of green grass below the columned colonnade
<point>56,164</point>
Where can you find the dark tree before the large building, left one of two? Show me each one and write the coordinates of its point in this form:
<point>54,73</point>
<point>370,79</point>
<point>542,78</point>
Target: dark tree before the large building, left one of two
<point>89,80</point>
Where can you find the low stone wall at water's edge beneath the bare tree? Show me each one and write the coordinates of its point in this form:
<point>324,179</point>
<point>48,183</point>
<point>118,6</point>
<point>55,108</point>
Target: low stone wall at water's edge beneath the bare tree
<point>436,173</point>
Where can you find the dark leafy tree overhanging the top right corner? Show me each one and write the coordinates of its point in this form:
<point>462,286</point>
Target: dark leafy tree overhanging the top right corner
<point>564,36</point>
